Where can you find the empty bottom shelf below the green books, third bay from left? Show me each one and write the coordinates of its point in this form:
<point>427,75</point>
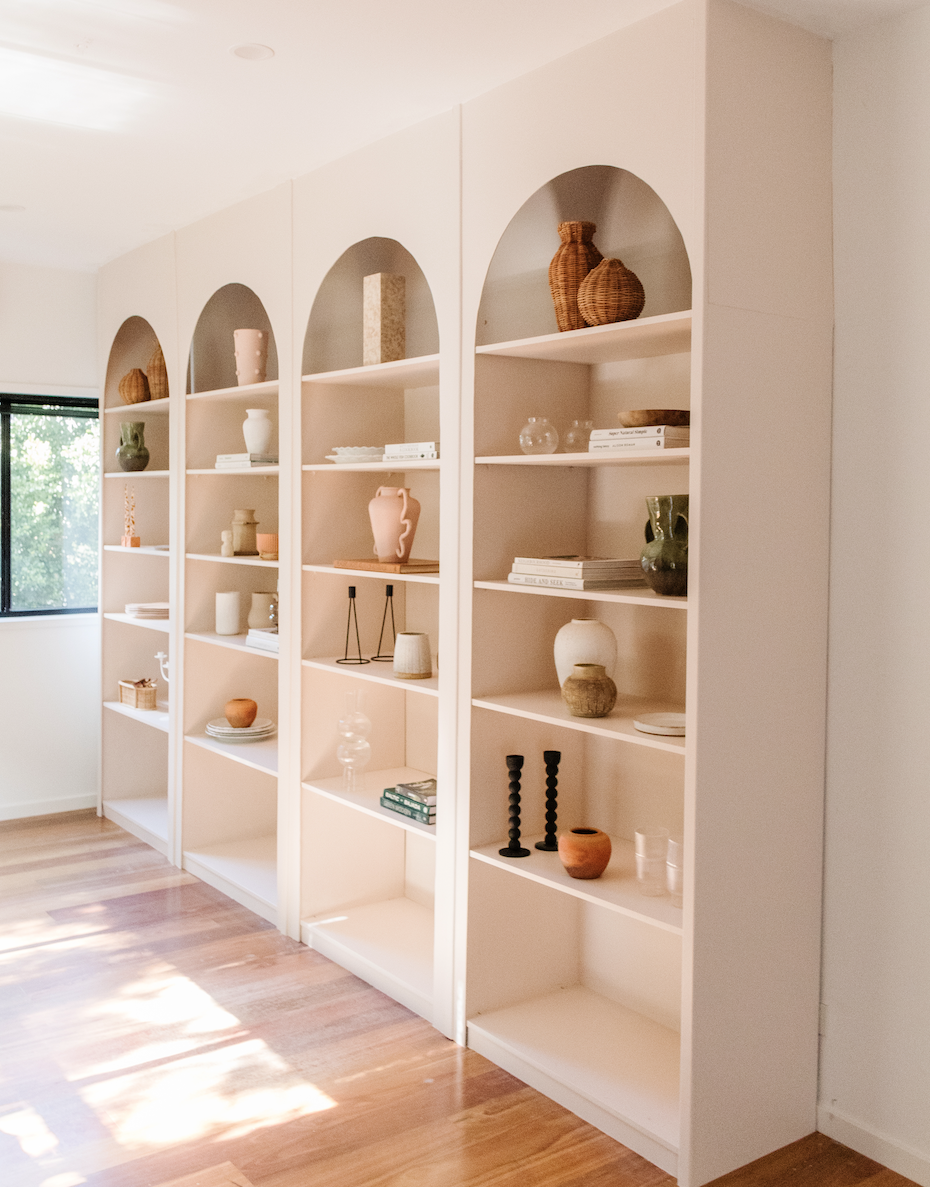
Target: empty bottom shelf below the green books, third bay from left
<point>388,944</point>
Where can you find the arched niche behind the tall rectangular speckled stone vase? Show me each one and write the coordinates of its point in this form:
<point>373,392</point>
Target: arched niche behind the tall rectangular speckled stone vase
<point>334,332</point>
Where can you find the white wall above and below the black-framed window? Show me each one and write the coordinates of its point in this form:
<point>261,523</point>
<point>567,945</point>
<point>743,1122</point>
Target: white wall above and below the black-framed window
<point>49,668</point>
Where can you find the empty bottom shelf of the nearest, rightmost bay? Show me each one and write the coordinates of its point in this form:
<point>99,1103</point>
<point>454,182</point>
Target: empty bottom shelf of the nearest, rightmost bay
<point>606,1063</point>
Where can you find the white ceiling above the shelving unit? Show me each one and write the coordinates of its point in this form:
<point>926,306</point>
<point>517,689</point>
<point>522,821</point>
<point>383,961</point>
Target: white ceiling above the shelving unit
<point>124,119</point>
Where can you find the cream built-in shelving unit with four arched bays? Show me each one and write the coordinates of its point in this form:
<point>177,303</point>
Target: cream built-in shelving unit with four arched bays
<point>689,1034</point>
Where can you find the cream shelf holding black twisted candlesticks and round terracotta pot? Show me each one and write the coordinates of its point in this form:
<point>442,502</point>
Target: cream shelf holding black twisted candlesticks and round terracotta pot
<point>616,890</point>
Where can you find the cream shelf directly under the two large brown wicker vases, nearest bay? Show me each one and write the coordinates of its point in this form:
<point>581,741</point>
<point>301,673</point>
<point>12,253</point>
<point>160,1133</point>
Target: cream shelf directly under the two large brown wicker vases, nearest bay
<point>669,334</point>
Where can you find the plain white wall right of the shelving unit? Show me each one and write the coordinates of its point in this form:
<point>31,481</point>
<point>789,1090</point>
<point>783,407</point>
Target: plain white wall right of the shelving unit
<point>876,1065</point>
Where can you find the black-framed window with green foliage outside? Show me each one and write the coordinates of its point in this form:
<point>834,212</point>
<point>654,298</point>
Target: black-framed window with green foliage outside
<point>49,505</point>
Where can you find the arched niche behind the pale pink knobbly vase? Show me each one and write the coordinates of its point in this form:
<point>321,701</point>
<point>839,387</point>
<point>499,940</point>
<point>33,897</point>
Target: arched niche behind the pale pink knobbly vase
<point>212,359</point>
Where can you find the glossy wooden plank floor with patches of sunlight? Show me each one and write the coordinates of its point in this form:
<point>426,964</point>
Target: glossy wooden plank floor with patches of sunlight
<point>154,1031</point>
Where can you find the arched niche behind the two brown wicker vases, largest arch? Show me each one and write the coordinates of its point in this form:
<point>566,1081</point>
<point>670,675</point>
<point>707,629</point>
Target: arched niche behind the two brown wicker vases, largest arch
<point>634,225</point>
